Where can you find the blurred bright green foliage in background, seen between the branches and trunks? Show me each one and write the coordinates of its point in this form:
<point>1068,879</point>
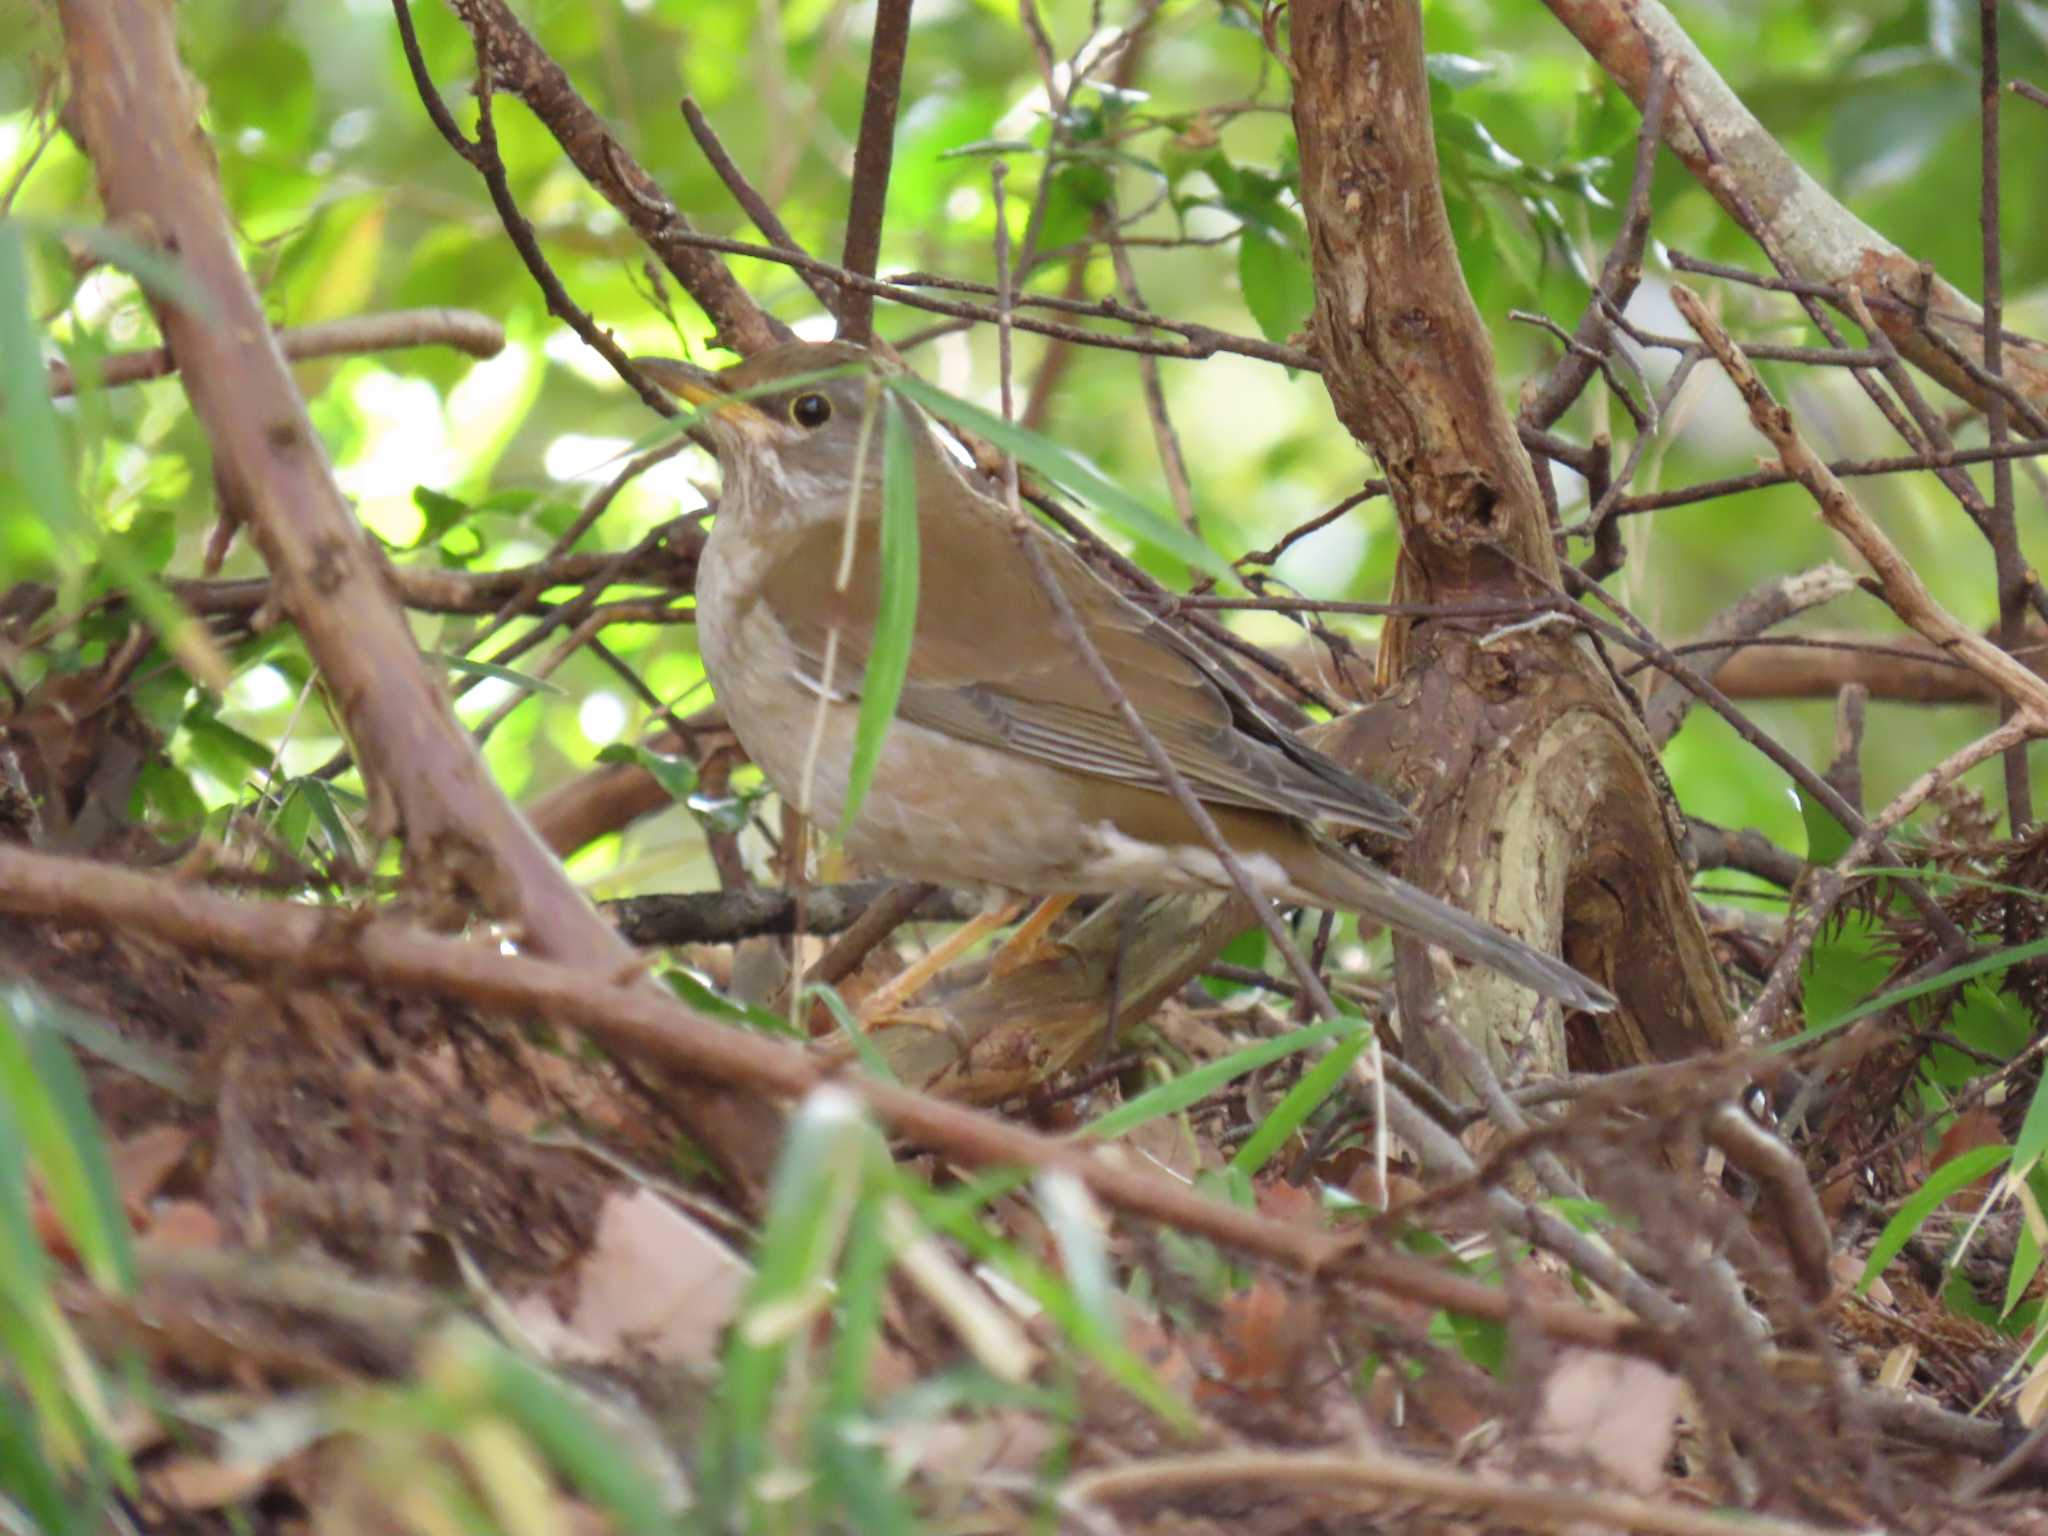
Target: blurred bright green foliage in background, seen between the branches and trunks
<point>349,202</point>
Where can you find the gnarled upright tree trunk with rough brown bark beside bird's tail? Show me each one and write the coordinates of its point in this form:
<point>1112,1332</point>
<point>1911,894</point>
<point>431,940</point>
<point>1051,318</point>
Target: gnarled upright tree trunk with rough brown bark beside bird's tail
<point>1539,794</point>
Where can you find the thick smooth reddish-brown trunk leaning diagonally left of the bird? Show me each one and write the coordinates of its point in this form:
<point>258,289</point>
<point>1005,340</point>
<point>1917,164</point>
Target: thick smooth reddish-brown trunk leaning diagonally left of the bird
<point>136,114</point>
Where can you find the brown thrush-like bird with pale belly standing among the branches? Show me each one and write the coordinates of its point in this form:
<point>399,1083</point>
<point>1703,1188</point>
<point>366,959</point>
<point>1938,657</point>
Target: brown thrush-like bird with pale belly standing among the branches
<point>1005,765</point>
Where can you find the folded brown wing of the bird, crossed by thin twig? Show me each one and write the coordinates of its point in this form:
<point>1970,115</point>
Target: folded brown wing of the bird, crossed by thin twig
<point>988,667</point>
